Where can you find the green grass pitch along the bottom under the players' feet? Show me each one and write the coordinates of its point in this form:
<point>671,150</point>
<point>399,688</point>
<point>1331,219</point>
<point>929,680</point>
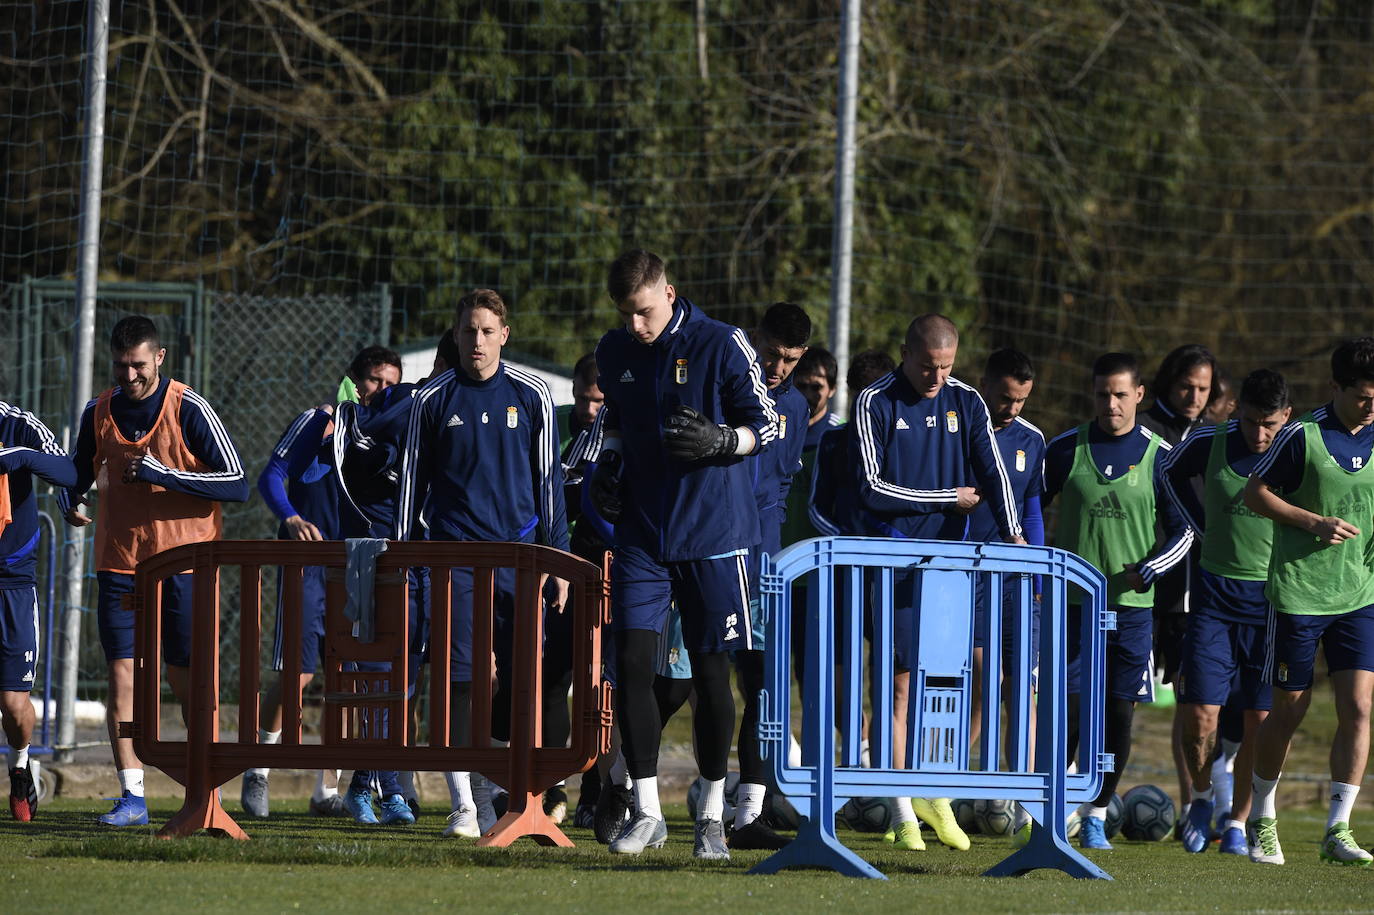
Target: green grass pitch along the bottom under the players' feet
<point>65,863</point>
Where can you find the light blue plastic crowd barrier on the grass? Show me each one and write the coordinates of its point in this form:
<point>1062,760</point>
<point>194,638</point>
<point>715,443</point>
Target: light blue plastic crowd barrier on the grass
<point>843,578</point>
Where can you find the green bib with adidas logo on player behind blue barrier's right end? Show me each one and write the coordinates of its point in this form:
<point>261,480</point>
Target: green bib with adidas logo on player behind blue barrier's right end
<point>1110,523</point>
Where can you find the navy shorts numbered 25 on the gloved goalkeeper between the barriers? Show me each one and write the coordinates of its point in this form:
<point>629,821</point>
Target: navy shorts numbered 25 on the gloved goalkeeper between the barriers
<point>711,594</point>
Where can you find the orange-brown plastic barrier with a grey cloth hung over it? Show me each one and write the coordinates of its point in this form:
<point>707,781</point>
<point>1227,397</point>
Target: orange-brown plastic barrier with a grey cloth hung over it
<point>357,703</point>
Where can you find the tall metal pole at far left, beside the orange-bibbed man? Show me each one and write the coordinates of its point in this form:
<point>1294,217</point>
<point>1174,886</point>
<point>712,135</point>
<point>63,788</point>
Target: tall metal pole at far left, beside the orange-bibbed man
<point>89,266</point>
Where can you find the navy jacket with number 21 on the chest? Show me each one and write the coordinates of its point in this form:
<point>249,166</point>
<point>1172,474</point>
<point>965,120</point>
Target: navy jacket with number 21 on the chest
<point>912,453</point>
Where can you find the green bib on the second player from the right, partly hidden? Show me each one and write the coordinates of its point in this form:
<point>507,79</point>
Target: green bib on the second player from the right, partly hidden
<point>1237,542</point>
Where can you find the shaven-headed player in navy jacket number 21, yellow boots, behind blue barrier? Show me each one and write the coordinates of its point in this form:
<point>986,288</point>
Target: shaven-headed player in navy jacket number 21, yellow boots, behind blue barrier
<point>925,458</point>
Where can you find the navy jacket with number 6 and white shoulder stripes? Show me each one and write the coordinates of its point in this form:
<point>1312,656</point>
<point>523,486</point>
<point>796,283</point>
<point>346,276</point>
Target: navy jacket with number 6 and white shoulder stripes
<point>482,462</point>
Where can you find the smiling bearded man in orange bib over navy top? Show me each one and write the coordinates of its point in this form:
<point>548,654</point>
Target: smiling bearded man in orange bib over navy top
<point>163,464</point>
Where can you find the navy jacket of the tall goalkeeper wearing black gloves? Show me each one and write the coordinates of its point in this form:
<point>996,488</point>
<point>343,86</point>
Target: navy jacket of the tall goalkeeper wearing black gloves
<point>674,510</point>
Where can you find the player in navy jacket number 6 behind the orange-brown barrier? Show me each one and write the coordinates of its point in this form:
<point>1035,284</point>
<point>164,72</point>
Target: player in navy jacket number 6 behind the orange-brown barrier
<point>482,464</point>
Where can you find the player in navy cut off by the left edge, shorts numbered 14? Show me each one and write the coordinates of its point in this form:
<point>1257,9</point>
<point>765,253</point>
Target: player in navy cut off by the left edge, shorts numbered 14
<point>27,451</point>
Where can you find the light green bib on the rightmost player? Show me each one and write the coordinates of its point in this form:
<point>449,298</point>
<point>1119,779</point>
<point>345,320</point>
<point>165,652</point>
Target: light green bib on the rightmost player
<point>1309,578</point>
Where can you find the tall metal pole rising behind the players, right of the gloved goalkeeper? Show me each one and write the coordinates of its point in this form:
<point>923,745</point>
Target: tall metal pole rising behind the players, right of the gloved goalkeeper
<point>842,262</point>
